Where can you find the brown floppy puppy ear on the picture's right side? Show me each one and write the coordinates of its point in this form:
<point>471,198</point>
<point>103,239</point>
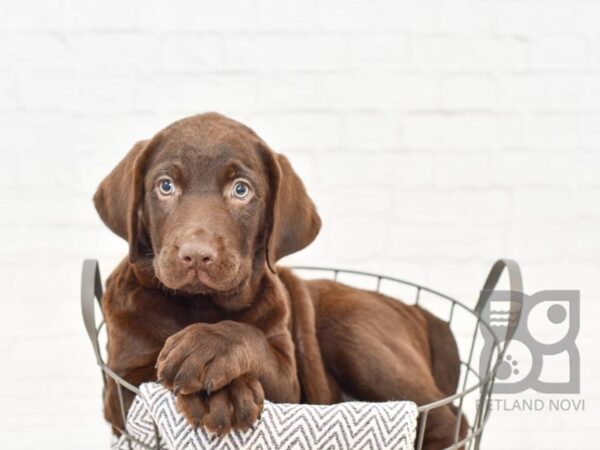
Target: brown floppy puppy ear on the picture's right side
<point>292,219</point>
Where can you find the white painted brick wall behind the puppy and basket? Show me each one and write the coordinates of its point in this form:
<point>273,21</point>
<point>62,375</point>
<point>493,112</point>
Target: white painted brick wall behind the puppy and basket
<point>435,136</point>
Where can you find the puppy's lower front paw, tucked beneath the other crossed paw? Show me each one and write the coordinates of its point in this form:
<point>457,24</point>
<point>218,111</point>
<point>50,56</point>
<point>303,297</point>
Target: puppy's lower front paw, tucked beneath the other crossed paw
<point>237,406</point>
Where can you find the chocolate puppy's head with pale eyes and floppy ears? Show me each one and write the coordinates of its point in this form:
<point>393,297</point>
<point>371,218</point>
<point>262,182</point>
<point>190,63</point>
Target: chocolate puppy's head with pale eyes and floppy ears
<point>208,204</point>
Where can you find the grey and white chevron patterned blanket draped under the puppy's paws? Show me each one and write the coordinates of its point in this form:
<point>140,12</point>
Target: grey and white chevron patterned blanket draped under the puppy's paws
<point>350,425</point>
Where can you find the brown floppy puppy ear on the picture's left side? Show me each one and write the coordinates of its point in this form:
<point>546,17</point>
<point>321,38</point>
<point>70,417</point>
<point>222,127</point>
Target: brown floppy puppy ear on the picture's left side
<point>119,198</point>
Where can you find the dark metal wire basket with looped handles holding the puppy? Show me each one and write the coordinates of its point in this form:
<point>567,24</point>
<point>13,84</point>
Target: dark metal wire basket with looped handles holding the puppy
<point>477,374</point>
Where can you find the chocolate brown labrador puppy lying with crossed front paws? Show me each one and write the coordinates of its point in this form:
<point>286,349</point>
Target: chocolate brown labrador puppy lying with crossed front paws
<point>200,305</point>
